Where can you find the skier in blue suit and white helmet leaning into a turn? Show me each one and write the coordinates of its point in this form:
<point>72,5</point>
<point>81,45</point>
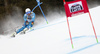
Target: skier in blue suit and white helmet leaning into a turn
<point>29,18</point>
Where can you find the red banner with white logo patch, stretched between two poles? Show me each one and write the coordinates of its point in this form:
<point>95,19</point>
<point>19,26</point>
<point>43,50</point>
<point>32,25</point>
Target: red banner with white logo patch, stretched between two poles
<point>76,7</point>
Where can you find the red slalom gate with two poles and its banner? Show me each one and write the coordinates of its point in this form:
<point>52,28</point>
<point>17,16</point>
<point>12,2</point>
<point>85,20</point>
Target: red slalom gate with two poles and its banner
<point>77,7</point>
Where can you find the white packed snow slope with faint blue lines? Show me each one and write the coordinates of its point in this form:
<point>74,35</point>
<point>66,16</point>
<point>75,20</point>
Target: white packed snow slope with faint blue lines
<point>53,38</point>
